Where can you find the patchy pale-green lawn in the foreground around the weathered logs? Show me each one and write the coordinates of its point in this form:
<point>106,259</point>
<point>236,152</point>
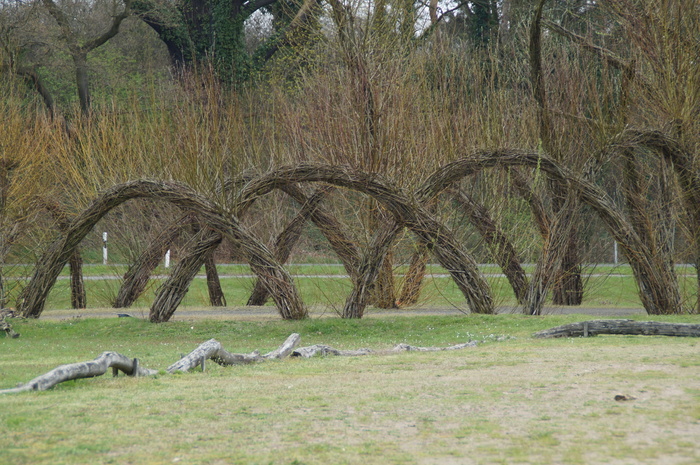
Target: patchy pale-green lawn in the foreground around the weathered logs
<point>510,400</point>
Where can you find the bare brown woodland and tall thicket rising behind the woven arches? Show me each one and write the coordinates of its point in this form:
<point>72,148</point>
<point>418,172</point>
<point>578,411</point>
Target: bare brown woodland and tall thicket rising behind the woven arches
<point>581,115</point>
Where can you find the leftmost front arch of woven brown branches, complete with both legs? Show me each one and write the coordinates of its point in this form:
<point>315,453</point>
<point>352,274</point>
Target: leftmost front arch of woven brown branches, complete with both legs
<point>278,281</point>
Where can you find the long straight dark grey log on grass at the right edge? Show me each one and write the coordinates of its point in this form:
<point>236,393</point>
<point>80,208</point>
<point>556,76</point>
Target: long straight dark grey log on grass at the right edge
<point>622,327</point>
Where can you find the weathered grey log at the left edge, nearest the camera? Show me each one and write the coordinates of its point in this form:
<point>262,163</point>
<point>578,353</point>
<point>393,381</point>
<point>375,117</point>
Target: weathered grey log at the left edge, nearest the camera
<point>97,367</point>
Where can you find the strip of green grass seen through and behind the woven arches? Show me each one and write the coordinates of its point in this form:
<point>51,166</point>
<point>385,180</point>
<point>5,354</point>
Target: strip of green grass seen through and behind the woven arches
<point>326,284</point>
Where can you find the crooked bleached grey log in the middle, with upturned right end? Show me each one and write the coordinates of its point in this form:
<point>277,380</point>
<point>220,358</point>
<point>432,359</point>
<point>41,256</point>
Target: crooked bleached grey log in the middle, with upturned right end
<point>213,350</point>
